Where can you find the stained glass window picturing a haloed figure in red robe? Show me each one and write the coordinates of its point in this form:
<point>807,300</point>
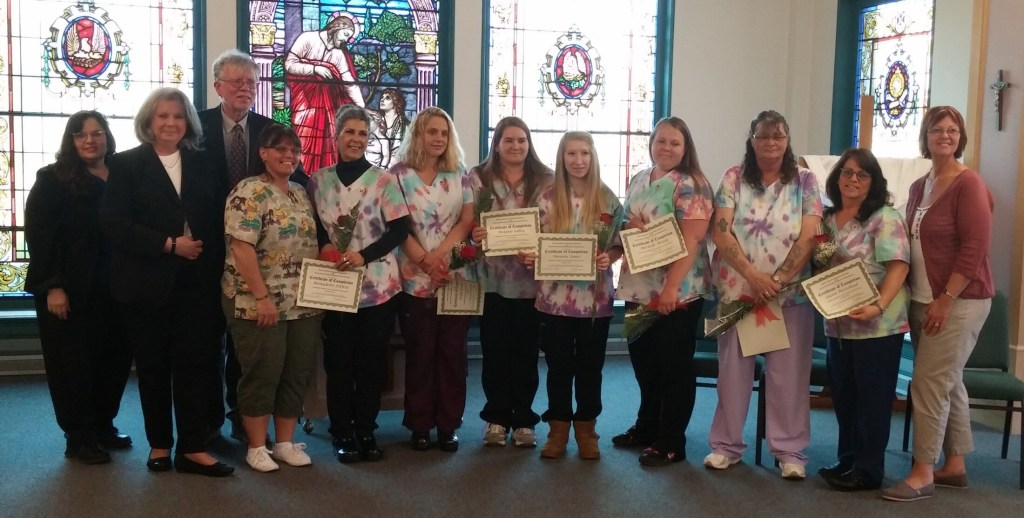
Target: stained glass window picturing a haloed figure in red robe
<point>317,56</point>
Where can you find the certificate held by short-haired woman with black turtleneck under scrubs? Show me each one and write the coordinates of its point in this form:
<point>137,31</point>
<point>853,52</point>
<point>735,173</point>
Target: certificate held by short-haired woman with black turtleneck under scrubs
<point>324,287</point>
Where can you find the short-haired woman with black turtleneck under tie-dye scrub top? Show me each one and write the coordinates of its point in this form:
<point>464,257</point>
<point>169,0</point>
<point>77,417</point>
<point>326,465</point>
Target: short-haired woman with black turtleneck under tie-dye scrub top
<point>356,344</point>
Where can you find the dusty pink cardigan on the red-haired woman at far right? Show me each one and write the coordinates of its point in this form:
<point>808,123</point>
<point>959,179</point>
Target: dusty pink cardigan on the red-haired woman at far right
<point>956,235</point>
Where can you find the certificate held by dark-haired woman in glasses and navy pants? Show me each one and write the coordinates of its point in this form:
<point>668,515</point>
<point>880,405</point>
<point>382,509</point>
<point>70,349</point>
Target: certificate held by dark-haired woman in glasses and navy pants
<point>843,288</point>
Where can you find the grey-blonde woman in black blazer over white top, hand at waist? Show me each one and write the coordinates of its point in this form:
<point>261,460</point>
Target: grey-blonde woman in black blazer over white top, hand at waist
<point>163,211</point>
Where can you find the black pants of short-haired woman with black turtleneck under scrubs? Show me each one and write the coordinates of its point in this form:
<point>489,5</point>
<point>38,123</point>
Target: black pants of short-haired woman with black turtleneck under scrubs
<point>356,362</point>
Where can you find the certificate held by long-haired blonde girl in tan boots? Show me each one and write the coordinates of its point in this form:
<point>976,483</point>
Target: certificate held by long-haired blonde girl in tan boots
<point>567,257</point>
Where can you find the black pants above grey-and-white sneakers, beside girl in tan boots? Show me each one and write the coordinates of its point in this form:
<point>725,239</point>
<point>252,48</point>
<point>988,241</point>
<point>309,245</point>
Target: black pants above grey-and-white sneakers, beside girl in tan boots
<point>510,344</point>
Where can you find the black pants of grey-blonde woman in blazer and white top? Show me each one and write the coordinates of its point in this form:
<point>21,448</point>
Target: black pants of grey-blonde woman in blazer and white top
<point>177,347</point>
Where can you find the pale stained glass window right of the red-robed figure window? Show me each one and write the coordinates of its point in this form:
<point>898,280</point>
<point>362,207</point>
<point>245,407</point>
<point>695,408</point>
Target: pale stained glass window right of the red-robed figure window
<point>565,65</point>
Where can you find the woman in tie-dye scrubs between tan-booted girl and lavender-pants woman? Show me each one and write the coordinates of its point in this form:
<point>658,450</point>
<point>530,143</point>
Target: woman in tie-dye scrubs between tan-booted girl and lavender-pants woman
<point>663,357</point>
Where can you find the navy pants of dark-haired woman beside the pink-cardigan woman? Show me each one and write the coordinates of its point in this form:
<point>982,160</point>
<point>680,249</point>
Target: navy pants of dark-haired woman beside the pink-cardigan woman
<point>864,375</point>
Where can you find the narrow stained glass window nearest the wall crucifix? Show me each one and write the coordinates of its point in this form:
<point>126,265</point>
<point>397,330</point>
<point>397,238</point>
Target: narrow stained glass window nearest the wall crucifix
<point>895,61</point>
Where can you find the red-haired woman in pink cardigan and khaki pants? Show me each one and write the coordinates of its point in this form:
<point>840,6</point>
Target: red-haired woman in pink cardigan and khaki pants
<point>951,217</point>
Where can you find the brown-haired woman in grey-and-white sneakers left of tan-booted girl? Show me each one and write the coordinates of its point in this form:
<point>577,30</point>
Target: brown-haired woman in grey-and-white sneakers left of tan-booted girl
<point>514,177</point>
